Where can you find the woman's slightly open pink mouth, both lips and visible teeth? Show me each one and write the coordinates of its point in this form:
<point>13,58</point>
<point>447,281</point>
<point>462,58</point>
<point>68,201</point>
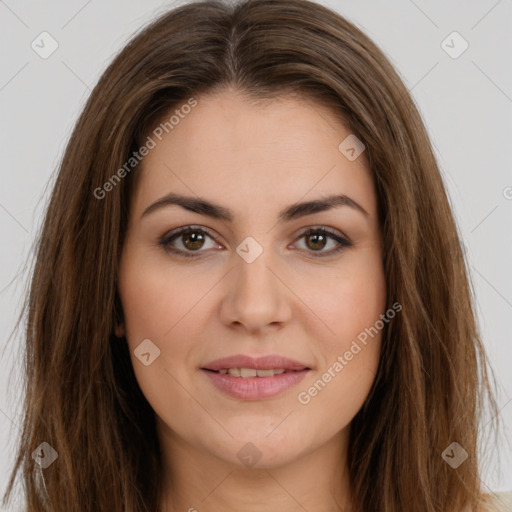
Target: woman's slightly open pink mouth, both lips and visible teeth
<point>248,378</point>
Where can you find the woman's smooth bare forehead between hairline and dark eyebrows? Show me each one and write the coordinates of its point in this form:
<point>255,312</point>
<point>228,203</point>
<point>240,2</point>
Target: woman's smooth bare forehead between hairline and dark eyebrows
<point>253,153</point>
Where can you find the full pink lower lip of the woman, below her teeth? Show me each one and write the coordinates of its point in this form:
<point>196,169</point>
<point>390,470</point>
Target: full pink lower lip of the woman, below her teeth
<point>255,388</point>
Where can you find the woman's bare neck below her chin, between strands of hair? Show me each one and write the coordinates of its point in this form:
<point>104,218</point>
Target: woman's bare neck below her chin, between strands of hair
<point>196,481</point>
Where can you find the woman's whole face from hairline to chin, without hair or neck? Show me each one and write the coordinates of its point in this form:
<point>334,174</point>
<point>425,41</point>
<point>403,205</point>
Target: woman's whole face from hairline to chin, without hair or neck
<point>254,279</point>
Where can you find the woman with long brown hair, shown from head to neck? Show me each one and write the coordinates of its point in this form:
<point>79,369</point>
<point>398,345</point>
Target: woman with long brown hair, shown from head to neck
<point>249,292</point>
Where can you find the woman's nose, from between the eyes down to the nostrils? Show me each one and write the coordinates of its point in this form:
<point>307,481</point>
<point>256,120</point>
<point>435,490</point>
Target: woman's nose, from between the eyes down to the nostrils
<point>256,296</point>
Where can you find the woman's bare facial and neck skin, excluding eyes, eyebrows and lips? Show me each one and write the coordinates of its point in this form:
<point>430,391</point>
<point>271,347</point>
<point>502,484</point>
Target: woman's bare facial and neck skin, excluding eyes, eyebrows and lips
<point>255,160</point>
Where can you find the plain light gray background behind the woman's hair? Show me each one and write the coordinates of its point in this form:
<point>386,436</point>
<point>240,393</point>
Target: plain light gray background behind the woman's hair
<point>466,103</point>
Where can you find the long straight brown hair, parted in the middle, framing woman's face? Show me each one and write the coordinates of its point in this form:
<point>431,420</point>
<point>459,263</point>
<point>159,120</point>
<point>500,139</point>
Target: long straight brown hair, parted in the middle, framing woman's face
<point>82,397</point>
